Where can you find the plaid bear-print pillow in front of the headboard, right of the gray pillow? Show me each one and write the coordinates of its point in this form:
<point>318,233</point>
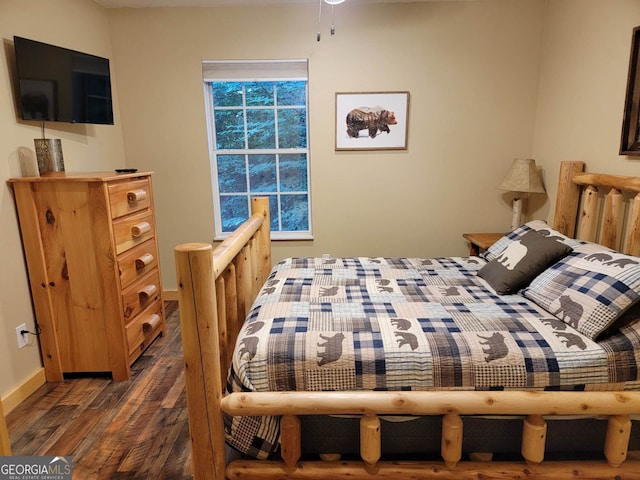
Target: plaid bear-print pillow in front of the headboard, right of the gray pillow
<point>589,289</point>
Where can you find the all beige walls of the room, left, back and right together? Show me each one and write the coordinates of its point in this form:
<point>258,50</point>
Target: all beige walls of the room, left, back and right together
<point>490,80</point>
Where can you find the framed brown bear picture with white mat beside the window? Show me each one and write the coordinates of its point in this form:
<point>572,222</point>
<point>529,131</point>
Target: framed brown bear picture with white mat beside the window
<point>372,120</point>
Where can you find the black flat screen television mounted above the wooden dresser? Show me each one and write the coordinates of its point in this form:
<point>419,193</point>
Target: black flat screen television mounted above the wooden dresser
<point>56,84</point>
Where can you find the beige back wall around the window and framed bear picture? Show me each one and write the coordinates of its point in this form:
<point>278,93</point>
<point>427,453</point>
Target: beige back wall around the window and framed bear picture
<point>471,69</point>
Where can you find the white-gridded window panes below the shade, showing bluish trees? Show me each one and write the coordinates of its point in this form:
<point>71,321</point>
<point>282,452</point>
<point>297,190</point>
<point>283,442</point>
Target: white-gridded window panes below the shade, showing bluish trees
<point>264,162</point>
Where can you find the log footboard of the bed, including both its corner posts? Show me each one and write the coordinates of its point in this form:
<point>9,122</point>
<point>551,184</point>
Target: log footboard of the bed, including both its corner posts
<point>211,284</point>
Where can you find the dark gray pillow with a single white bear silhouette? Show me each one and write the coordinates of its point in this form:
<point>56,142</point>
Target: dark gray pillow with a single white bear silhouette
<point>523,260</point>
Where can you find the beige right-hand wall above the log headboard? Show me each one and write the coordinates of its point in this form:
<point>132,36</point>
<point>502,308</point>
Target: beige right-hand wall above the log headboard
<point>583,79</point>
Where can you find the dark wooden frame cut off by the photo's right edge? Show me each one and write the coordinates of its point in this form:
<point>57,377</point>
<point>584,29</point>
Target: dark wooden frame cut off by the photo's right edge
<point>630,141</point>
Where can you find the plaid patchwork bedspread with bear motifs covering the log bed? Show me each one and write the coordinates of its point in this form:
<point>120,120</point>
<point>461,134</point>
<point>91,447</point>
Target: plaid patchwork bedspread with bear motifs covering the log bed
<point>408,324</point>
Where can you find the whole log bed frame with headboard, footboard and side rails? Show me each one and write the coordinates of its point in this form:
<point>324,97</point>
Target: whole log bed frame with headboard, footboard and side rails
<point>217,287</point>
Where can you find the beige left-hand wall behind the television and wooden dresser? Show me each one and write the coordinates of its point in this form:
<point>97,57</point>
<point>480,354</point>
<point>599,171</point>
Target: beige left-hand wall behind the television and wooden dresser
<point>80,25</point>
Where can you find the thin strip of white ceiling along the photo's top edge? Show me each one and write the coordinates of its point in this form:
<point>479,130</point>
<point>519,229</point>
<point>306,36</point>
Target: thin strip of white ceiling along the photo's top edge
<point>217,3</point>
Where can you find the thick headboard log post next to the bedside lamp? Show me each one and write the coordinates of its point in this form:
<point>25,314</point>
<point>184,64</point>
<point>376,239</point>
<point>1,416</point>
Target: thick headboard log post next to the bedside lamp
<point>565,218</point>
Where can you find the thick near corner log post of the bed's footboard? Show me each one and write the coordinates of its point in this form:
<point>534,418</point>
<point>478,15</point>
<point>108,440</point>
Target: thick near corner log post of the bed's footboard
<point>199,326</point>
